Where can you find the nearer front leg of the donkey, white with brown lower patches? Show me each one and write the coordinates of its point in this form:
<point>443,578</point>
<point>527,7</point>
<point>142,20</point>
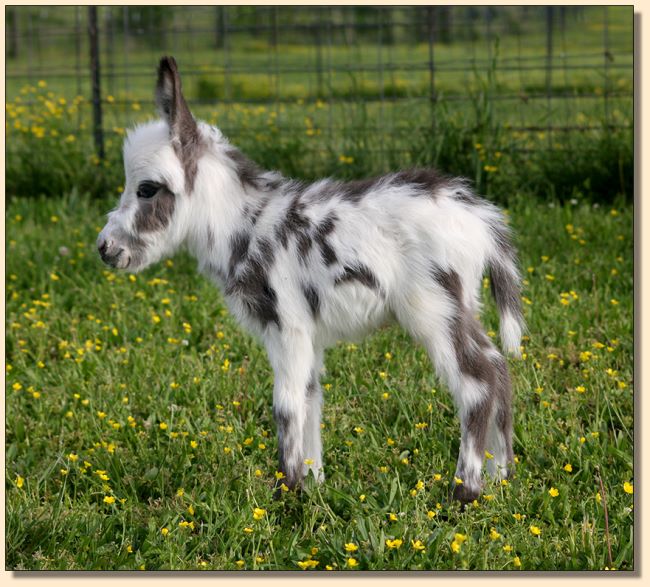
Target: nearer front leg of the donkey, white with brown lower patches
<point>292,357</point>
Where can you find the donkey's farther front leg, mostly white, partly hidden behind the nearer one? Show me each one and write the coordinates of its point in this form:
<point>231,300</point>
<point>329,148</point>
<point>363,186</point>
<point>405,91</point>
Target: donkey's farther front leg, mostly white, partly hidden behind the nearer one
<point>312,444</point>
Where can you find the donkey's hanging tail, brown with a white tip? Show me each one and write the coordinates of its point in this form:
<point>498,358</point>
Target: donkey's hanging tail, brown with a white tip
<point>505,283</point>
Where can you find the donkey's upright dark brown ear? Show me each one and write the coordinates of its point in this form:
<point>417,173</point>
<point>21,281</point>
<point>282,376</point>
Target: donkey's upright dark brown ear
<point>183,129</point>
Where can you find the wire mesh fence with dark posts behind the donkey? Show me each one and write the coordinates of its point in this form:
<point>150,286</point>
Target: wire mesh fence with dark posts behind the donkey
<point>367,70</point>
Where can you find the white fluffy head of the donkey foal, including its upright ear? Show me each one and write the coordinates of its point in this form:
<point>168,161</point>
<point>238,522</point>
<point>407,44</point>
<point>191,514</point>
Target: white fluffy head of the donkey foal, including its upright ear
<point>160,164</point>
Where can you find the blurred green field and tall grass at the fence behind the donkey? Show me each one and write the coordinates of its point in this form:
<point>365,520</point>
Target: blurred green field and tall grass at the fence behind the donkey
<point>514,98</point>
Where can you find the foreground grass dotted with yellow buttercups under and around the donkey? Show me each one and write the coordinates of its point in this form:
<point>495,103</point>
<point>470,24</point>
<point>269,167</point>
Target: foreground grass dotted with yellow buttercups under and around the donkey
<point>96,363</point>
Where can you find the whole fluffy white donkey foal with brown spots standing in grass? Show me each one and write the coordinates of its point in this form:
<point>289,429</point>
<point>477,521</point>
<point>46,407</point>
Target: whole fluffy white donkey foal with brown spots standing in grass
<point>304,265</point>
